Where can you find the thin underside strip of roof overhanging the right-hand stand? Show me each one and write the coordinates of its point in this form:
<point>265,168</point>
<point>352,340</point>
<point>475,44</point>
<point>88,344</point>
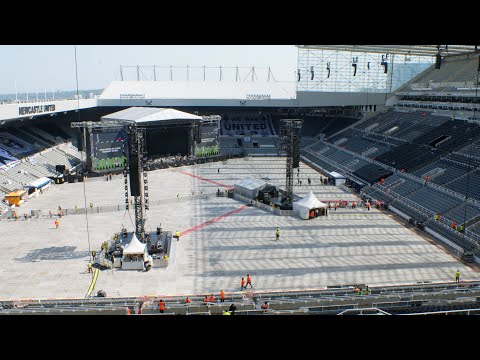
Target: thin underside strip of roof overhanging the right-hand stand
<point>414,50</point>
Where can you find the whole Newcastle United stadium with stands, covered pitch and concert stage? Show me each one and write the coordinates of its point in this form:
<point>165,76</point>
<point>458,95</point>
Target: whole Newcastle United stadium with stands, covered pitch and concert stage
<point>352,190</point>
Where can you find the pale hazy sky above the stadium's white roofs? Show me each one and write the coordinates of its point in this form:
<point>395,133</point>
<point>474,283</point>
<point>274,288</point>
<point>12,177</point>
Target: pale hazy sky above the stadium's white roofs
<point>52,67</point>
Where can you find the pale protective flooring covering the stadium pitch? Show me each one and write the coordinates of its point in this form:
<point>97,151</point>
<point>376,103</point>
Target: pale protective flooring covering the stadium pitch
<point>222,239</point>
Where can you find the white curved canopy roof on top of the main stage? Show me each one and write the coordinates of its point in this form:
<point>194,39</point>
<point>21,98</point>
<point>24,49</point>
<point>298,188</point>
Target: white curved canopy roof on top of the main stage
<point>152,116</point>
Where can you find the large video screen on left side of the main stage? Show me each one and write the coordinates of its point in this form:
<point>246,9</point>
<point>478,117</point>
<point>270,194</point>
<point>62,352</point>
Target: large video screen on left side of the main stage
<point>108,149</point>
